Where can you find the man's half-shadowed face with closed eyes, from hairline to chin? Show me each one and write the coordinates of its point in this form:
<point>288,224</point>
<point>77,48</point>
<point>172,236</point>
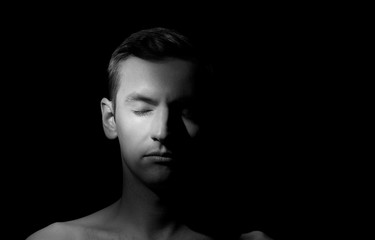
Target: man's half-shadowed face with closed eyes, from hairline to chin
<point>155,119</point>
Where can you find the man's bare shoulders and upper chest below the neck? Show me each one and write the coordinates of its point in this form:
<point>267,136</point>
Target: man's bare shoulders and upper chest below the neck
<point>106,225</point>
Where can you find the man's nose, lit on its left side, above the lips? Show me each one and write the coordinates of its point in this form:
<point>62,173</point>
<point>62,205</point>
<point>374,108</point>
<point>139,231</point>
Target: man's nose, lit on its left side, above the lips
<point>160,125</point>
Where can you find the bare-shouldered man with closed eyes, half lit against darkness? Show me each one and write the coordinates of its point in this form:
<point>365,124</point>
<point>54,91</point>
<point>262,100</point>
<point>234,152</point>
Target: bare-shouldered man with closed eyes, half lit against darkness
<point>155,111</point>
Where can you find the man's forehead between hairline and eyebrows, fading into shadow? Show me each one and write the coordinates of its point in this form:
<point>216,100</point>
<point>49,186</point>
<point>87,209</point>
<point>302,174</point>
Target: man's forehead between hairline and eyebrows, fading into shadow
<point>170,78</point>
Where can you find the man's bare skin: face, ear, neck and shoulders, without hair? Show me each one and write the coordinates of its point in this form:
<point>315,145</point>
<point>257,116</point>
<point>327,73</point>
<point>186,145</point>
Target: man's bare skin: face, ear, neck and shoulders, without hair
<point>144,120</point>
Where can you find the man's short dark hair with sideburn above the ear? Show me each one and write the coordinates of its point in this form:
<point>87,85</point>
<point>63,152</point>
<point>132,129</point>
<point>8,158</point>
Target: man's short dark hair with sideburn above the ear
<point>153,44</point>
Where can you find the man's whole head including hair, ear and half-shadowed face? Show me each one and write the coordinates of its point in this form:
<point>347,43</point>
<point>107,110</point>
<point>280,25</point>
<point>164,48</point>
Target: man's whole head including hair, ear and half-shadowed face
<point>154,102</point>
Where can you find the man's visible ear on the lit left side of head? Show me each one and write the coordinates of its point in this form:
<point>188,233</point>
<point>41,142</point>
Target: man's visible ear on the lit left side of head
<point>108,118</point>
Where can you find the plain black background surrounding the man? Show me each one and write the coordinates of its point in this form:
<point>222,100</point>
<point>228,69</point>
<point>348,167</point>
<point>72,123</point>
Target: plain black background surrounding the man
<point>278,101</point>
